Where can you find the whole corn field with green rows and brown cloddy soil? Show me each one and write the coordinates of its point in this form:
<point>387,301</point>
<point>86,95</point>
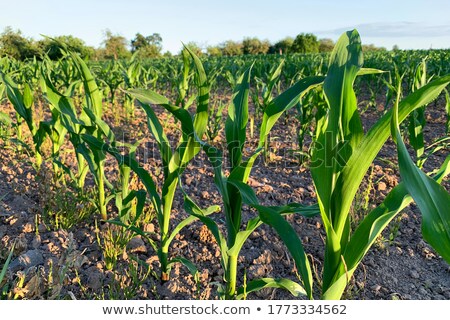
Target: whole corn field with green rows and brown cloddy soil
<point>275,177</point>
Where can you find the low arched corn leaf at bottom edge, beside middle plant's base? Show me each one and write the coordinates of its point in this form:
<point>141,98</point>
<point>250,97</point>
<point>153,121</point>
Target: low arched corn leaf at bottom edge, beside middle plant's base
<point>255,285</point>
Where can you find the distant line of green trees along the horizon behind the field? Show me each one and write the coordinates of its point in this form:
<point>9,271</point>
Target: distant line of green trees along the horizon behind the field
<point>114,46</point>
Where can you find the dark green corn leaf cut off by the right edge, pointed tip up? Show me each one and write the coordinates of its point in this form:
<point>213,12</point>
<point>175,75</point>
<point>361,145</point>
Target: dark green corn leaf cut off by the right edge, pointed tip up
<point>431,198</point>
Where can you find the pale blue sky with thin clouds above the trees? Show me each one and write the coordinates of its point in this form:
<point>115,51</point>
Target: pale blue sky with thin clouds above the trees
<point>410,24</point>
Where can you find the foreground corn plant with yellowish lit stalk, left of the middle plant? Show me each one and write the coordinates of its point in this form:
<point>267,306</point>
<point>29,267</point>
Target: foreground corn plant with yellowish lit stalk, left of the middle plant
<point>174,162</point>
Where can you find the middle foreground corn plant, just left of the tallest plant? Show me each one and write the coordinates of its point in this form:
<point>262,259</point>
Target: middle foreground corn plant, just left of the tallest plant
<point>233,188</point>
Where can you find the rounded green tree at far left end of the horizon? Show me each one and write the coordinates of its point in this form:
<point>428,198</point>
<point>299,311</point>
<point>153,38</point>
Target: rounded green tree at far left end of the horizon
<point>13,44</point>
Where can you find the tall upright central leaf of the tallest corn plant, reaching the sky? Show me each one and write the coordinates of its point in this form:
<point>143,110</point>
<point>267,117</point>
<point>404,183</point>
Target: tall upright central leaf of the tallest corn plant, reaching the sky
<point>337,135</point>
